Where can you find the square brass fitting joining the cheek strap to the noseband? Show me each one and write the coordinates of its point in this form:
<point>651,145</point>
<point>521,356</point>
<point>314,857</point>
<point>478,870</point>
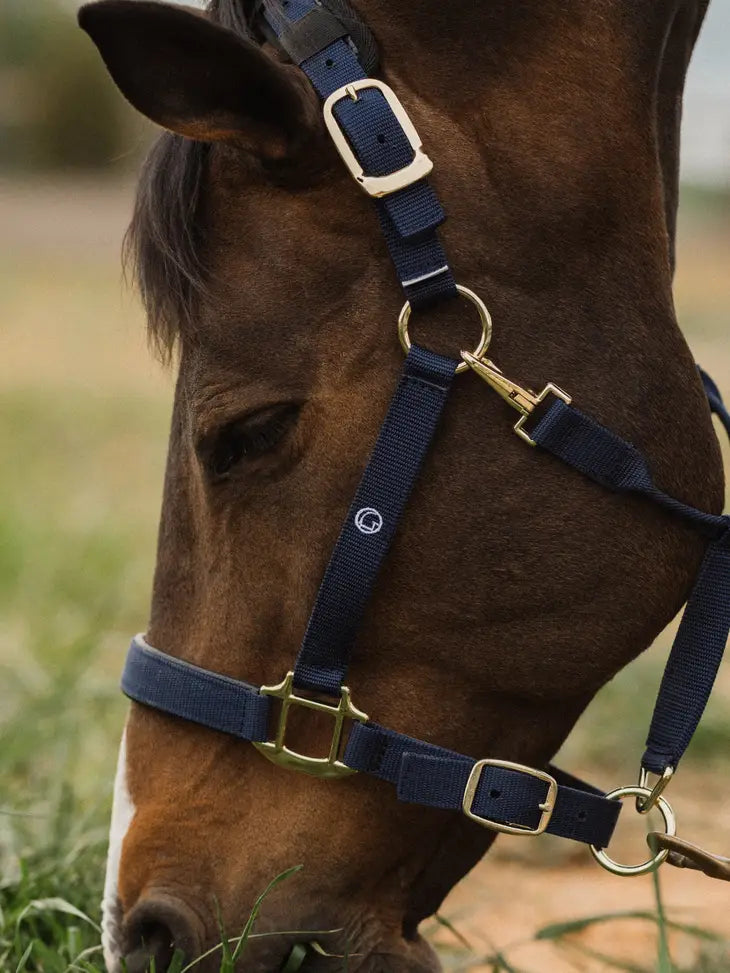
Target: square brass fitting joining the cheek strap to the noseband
<point>278,753</point>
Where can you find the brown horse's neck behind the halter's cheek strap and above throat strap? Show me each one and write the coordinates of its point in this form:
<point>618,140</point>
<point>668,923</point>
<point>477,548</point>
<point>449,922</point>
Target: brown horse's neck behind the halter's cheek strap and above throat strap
<point>554,129</point>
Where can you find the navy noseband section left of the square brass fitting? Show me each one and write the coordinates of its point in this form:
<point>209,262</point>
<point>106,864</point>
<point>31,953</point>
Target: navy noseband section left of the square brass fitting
<point>182,689</point>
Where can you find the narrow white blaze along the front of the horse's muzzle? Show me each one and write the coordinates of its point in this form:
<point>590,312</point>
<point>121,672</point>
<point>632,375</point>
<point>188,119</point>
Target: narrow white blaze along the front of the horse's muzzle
<point>122,814</point>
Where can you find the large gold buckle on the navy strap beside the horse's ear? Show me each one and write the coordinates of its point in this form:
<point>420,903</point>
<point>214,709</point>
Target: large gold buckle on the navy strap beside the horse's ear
<point>377,186</point>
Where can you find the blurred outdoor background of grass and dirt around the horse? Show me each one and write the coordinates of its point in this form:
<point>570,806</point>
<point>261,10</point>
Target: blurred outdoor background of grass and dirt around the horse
<point>83,430</point>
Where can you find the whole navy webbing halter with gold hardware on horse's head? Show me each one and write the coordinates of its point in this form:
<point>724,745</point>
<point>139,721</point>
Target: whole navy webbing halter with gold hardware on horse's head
<point>383,152</point>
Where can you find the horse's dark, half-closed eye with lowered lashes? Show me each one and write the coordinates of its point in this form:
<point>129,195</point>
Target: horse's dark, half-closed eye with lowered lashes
<point>247,438</point>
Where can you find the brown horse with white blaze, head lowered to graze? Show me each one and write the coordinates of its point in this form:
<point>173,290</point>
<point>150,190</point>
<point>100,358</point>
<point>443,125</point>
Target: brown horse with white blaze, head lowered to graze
<point>514,589</point>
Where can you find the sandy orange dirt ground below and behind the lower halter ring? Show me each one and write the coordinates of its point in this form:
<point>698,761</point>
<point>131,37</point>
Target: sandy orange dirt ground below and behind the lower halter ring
<point>526,885</point>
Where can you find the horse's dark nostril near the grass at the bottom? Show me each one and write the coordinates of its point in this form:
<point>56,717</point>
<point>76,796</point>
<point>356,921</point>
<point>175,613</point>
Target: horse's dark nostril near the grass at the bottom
<point>154,930</point>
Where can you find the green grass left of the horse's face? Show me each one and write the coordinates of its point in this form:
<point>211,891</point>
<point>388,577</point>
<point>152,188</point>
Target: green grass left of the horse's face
<point>74,575</point>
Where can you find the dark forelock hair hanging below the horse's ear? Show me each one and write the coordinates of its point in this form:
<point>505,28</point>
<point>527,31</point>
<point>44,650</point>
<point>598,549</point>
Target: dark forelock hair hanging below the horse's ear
<point>164,242</point>
